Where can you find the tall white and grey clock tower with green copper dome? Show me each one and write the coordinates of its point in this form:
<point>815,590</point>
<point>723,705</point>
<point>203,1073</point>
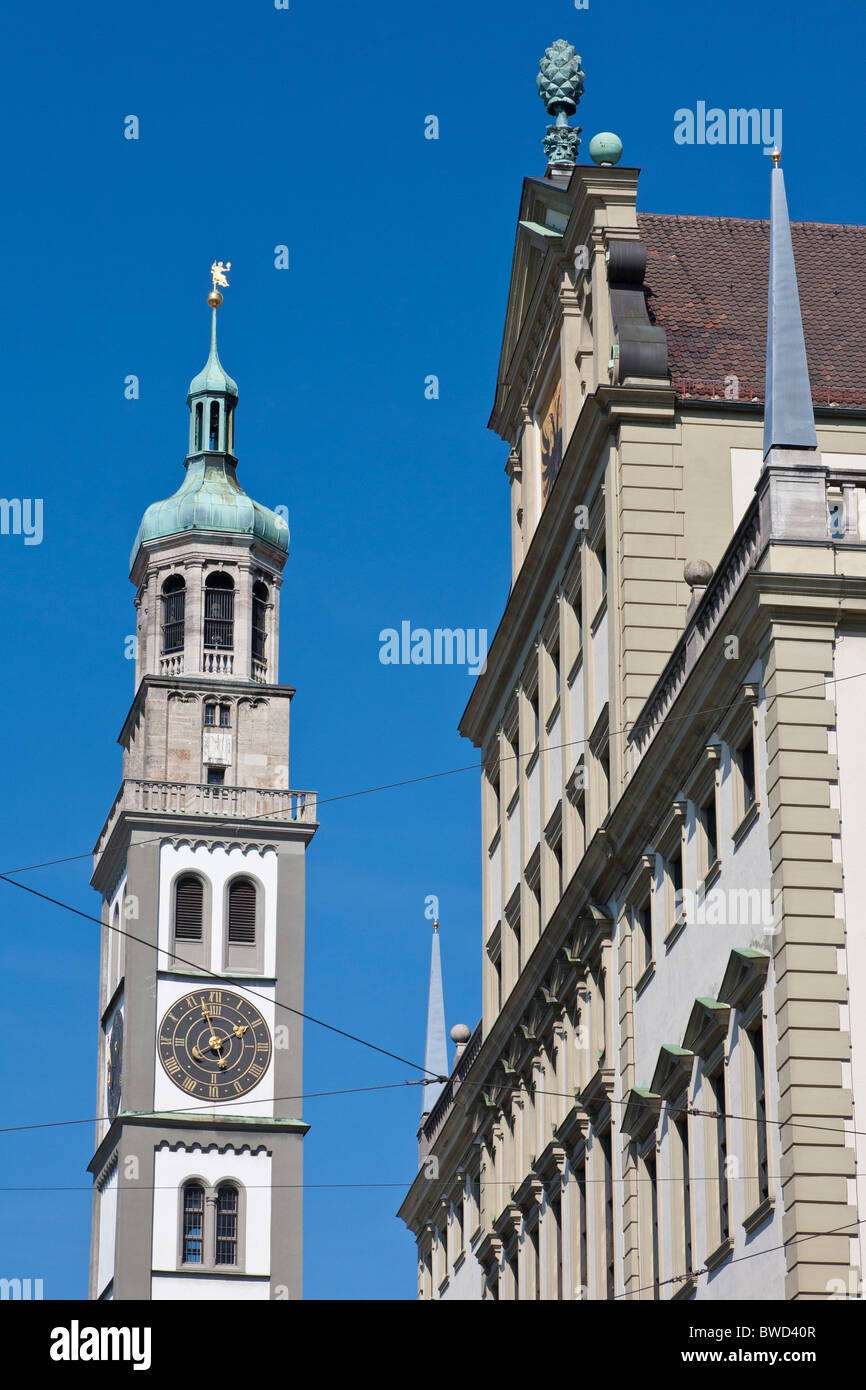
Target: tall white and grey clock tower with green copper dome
<point>201,869</point>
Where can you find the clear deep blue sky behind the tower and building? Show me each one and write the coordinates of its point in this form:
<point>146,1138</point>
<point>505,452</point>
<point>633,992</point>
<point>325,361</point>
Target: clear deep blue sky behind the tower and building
<point>305,129</point>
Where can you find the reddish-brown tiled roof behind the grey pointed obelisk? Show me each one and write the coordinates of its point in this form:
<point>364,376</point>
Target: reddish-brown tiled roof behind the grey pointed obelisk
<point>707,286</point>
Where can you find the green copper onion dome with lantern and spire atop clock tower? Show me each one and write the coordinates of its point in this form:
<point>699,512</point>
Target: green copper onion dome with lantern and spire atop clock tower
<point>211,497</point>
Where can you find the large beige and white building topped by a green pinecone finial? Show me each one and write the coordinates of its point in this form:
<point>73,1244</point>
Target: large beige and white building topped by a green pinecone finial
<point>662,1096</point>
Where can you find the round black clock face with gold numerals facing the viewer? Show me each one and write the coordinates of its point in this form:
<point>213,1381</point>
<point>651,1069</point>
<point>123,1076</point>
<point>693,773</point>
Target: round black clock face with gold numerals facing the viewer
<point>215,1045</point>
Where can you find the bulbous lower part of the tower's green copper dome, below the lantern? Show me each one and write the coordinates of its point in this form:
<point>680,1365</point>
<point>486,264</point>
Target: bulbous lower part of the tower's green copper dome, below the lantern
<point>211,500</point>
